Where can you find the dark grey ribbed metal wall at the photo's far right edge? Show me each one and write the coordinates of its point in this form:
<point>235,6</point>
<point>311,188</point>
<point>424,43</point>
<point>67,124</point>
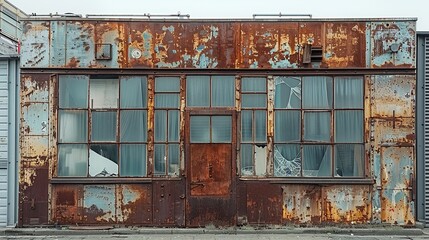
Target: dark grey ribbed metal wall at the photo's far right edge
<point>426,129</point>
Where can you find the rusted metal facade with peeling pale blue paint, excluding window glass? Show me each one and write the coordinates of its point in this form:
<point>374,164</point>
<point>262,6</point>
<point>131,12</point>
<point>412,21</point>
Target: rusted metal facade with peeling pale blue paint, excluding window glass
<point>210,184</point>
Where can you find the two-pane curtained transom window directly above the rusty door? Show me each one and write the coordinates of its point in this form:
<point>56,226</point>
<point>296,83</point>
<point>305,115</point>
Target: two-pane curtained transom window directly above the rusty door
<point>210,91</point>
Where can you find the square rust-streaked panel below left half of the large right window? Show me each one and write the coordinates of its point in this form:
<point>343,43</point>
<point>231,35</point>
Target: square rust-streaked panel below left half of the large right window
<point>302,204</point>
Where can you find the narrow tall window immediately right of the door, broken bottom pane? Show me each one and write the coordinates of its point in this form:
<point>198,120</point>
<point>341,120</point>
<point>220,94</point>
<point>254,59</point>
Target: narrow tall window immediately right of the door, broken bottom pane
<point>253,123</point>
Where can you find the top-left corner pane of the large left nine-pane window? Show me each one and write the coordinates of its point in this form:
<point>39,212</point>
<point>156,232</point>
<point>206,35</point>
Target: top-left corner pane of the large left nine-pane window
<point>73,91</point>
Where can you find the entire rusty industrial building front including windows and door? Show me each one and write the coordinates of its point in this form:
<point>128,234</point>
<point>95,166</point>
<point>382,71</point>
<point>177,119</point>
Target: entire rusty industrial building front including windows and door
<point>189,123</point>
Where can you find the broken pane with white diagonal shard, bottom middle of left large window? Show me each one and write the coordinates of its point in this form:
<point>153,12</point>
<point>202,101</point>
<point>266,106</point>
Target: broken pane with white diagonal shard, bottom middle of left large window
<point>103,160</point>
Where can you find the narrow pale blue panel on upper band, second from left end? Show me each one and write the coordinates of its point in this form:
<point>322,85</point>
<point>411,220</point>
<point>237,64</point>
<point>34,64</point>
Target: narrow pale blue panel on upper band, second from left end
<point>57,44</point>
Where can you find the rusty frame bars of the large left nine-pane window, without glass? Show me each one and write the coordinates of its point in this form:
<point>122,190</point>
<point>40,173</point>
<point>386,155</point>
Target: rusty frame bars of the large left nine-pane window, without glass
<point>89,109</point>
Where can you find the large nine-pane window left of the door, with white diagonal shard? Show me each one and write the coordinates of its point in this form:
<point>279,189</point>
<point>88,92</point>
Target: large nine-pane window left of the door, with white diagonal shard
<point>102,124</point>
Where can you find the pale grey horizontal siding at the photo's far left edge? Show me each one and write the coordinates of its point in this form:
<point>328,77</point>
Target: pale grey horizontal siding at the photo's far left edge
<point>3,139</point>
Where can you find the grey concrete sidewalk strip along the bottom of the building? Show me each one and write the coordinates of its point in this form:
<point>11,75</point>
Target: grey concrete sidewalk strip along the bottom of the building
<point>85,231</point>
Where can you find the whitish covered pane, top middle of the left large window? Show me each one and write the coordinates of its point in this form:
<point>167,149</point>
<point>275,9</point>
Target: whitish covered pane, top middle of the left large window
<point>104,93</point>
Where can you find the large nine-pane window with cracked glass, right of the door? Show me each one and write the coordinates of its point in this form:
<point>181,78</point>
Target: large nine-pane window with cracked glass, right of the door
<point>318,128</point>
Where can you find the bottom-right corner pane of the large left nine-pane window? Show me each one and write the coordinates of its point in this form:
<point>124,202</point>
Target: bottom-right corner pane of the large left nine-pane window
<point>133,160</point>
